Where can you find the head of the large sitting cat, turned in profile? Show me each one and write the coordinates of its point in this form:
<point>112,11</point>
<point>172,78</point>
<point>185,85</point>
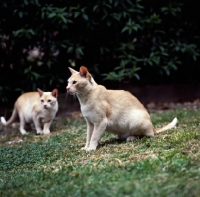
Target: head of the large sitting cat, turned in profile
<point>78,81</point>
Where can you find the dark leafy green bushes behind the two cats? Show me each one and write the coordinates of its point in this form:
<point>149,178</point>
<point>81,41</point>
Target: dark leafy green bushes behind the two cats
<point>120,41</point>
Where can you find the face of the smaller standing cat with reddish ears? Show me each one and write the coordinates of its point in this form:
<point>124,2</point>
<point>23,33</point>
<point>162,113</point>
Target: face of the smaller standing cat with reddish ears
<point>48,99</point>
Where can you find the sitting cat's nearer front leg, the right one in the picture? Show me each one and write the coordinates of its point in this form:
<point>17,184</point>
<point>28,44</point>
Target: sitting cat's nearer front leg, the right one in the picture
<point>96,135</point>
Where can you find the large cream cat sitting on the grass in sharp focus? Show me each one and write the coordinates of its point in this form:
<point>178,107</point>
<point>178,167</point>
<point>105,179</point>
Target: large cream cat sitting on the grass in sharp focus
<point>115,111</point>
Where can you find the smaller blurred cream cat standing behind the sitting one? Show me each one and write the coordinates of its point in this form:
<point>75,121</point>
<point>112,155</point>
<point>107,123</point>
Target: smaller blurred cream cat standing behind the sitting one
<point>37,107</point>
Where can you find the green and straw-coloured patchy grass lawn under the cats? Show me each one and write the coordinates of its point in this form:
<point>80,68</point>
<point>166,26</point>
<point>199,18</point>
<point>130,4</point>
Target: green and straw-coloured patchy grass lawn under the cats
<point>167,165</point>
